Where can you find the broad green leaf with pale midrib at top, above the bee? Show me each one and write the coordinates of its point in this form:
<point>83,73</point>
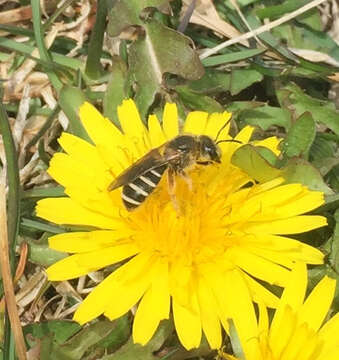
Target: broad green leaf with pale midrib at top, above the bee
<point>158,48</point>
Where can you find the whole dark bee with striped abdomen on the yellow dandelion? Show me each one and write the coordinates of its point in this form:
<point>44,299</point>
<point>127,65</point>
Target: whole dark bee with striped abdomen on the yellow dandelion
<point>175,156</point>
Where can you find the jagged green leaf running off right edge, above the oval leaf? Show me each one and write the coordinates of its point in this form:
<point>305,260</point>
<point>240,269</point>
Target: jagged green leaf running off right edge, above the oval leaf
<point>291,96</point>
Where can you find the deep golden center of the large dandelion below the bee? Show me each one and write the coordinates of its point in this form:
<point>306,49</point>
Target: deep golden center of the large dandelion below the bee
<point>191,226</point>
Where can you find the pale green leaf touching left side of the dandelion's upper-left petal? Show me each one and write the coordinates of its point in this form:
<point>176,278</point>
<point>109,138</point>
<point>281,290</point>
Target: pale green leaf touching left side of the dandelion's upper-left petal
<point>71,98</point>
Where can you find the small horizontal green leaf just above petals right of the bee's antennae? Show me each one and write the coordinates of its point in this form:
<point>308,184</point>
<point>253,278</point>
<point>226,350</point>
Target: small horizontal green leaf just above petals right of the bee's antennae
<point>266,116</point>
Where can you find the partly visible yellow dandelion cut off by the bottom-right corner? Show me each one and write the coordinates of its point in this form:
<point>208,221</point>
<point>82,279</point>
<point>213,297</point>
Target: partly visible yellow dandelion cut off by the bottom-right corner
<point>296,331</point>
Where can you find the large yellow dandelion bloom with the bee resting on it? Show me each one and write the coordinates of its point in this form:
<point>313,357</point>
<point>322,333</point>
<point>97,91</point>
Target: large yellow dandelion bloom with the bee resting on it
<point>200,262</point>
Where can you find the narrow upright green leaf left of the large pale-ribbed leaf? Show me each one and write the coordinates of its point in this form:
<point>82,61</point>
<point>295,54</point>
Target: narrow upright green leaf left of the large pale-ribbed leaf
<point>116,89</point>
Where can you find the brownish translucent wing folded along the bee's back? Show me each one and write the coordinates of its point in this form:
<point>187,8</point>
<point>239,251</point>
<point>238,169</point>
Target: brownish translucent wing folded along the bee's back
<point>153,159</point>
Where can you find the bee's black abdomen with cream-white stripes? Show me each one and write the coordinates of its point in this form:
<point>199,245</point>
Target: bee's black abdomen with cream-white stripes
<point>135,192</point>
